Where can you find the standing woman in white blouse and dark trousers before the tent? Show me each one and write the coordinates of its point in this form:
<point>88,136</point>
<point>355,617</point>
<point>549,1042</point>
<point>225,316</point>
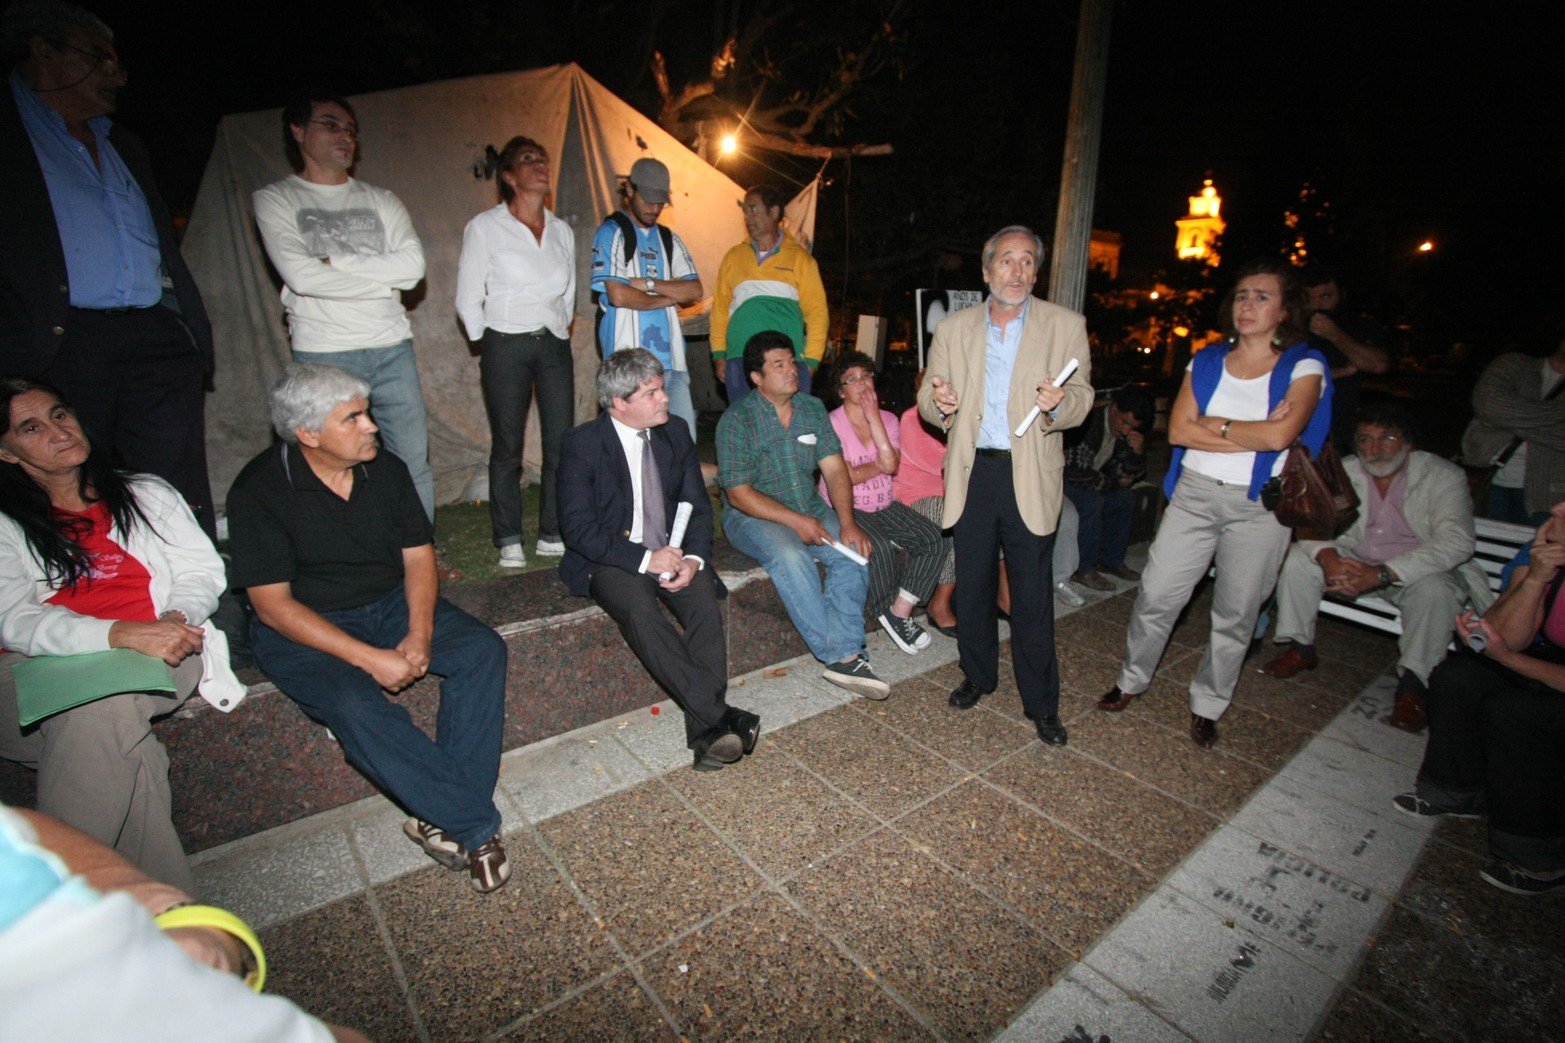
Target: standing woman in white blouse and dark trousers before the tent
<point>517,298</point>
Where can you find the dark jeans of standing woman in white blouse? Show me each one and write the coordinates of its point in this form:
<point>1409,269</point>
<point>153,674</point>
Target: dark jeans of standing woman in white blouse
<point>511,367</point>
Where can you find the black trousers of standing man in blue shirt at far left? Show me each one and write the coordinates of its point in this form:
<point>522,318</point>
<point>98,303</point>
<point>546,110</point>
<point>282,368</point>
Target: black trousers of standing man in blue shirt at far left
<point>139,386</point>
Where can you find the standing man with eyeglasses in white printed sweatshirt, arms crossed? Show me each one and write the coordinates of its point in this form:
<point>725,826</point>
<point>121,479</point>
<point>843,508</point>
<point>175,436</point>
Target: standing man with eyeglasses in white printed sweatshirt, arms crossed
<point>347,251</point>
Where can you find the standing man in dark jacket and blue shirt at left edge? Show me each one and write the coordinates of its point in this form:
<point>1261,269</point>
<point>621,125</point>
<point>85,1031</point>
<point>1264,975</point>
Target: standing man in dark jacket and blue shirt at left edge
<point>95,295</point>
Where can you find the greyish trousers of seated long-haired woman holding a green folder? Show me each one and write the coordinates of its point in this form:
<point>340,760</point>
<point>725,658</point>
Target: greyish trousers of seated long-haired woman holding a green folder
<point>104,773</point>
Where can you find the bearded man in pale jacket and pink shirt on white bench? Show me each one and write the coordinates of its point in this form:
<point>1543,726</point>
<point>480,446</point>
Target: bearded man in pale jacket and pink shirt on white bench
<point>1412,544</point>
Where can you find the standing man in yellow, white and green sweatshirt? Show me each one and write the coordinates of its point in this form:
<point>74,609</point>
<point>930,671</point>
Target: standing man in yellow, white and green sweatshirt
<point>768,283</point>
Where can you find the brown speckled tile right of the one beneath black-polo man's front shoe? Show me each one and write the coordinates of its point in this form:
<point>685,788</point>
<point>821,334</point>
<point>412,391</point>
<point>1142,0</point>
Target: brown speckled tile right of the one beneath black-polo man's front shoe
<point>650,865</point>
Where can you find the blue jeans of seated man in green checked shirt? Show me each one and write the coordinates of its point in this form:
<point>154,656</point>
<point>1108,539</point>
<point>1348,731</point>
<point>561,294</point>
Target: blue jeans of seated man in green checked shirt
<point>832,621</point>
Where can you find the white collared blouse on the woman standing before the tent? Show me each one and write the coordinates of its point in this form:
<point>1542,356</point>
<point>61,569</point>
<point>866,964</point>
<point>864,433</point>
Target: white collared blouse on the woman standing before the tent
<point>511,283</point>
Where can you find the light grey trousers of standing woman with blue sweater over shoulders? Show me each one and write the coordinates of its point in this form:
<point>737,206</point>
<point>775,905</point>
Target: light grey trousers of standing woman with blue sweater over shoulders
<point>1206,519</point>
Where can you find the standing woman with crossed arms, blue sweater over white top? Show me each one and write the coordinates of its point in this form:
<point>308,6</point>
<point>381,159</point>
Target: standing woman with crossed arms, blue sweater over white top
<point>1242,405</point>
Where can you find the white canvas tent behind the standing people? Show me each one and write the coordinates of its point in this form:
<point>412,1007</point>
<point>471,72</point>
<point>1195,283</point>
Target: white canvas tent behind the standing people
<point>423,143</point>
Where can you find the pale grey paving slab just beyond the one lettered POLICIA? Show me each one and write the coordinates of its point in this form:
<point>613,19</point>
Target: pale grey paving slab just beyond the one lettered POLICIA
<point>1375,850</point>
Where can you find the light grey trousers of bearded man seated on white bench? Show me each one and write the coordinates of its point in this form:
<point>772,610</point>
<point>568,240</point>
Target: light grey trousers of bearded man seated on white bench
<point>1428,605</point>
